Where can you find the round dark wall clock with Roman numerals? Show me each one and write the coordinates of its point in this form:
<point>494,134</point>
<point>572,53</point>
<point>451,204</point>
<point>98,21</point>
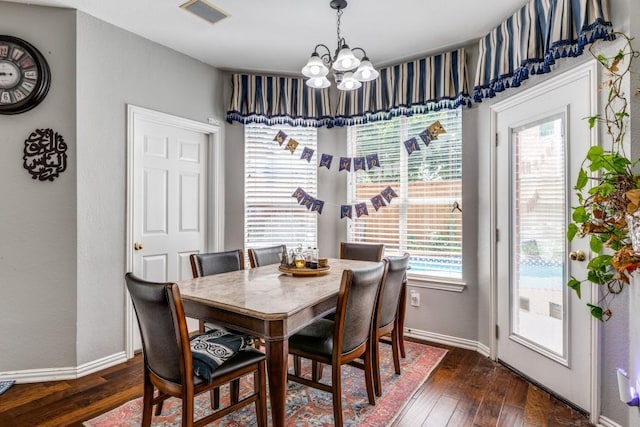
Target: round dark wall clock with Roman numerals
<point>24,76</point>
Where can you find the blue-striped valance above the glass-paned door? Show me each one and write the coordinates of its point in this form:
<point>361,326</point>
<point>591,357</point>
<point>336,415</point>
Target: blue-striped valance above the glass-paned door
<point>532,39</point>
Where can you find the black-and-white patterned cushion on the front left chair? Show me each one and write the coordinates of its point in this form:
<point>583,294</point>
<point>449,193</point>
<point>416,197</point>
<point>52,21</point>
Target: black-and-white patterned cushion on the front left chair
<point>211,349</point>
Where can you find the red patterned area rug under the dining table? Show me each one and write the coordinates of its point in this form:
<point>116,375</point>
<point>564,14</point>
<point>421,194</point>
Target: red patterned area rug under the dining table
<point>308,407</point>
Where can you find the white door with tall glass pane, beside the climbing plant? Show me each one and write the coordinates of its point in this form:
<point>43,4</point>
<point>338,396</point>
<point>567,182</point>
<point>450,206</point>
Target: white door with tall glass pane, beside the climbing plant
<point>544,331</point>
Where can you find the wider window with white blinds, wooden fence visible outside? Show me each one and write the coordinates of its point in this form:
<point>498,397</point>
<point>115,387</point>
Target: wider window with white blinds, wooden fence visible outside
<point>423,219</point>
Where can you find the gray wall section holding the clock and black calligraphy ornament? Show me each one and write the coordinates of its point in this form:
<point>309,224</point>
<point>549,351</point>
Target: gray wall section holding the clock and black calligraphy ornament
<point>37,219</point>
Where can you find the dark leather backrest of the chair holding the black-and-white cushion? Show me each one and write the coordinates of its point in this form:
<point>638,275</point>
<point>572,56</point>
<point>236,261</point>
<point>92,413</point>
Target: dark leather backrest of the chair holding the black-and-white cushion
<point>163,328</point>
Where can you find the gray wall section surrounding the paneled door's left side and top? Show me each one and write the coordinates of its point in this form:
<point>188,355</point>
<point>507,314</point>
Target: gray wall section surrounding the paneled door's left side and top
<point>116,68</point>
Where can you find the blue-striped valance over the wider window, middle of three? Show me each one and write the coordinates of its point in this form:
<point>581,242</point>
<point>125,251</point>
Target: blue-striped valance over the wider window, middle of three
<point>414,87</point>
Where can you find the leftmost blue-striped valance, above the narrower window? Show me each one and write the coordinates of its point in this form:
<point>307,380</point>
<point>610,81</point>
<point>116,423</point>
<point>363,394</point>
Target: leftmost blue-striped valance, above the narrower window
<point>278,100</point>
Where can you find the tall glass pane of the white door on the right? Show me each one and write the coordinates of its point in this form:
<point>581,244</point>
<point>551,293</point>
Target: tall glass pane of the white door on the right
<point>538,223</point>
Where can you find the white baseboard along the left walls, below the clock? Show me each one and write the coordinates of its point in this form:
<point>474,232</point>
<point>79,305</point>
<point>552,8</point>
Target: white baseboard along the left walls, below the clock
<point>69,373</point>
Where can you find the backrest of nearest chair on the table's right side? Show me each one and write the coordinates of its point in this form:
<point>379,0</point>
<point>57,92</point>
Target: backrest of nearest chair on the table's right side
<point>357,301</point>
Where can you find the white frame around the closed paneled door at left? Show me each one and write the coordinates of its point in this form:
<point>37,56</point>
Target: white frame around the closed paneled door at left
<point>215,192</point>
